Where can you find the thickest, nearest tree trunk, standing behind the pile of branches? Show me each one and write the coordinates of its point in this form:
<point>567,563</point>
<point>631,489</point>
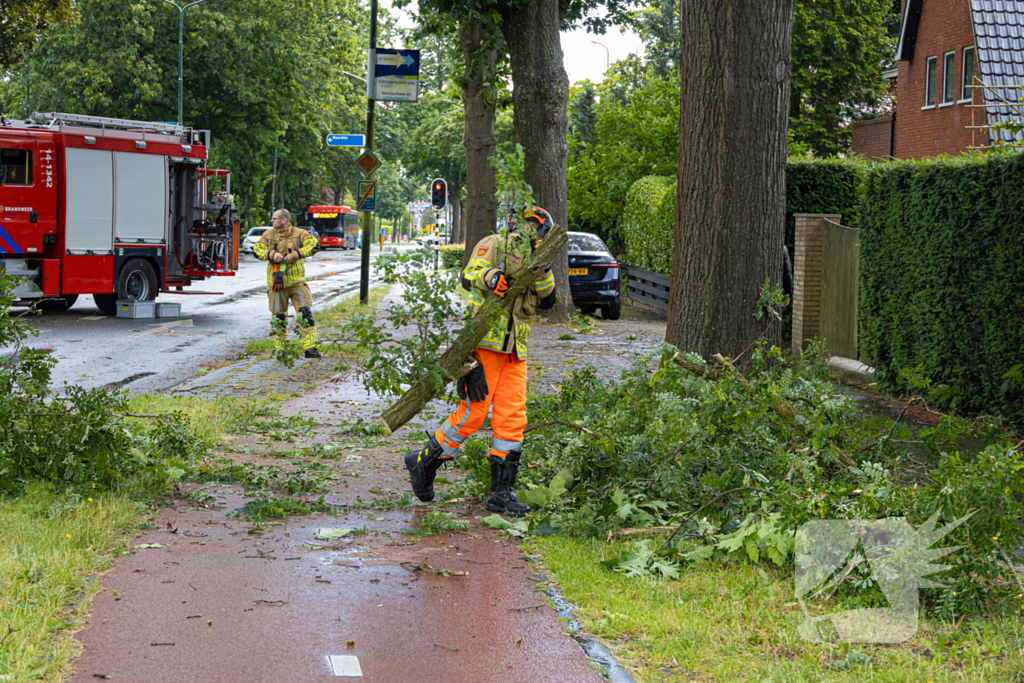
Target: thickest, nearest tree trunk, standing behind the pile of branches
<point>732,197</point>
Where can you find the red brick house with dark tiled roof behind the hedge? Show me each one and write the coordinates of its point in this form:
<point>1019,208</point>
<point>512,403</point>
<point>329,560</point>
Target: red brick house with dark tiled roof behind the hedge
<point>947,50</point>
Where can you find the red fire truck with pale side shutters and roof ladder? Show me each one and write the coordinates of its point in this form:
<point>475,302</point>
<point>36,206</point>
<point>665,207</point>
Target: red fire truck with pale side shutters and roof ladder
<point>118,209</point>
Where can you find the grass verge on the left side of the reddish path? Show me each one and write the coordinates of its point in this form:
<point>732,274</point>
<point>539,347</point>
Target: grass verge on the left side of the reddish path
<point>50,549</point>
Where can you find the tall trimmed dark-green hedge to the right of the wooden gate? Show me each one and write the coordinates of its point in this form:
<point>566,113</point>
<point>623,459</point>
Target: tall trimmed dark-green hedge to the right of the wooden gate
<point>943,276</point>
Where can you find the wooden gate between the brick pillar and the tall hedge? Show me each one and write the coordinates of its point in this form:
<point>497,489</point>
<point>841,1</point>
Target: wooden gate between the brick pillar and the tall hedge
<point>840,288</point>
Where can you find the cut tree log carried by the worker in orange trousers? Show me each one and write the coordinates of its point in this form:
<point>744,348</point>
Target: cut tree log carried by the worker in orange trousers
<point>425,390</point>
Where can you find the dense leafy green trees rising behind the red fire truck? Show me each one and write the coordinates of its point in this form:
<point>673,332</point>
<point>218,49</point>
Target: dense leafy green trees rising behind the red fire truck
<point>270,80</point>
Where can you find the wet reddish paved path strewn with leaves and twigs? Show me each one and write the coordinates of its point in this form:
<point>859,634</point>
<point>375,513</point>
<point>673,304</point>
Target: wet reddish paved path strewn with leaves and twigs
<point>225,601</point>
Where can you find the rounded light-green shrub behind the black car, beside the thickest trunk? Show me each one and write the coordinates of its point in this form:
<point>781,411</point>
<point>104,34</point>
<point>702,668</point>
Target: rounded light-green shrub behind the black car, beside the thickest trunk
<point>649,224</point>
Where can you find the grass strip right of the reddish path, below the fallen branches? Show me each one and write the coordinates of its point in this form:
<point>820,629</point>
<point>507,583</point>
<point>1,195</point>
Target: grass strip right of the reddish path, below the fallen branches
<point>740,624</point>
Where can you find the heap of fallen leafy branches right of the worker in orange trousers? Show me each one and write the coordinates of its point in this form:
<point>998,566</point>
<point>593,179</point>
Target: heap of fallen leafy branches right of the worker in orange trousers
<point>743,462</point>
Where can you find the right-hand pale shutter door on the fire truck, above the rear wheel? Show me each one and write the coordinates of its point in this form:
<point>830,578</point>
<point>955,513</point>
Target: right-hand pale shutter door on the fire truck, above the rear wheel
<point>141,206</point>
